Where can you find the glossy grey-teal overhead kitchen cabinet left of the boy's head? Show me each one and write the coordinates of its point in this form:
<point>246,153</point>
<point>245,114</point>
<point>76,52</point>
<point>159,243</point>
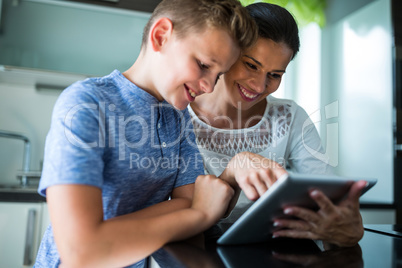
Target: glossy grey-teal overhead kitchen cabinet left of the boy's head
<point>69,36</point>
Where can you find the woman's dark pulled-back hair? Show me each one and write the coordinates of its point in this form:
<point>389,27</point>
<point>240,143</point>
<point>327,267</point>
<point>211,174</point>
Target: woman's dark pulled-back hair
<point>276,23</point>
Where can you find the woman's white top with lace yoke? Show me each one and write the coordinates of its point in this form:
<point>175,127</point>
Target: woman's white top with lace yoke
<point>284,134</point>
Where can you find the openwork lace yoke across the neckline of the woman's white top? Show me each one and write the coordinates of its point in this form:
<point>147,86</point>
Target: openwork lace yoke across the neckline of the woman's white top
<point>274,125</point>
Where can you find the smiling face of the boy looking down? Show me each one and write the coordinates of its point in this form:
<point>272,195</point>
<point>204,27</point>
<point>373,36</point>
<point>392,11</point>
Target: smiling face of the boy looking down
<point>191,65</point>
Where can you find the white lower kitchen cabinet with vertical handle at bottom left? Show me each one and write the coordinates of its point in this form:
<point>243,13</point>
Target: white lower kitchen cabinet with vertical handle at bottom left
<point>21,230</point>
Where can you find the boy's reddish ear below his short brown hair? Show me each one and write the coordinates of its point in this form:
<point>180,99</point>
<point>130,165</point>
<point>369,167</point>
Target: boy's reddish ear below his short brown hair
<point>160,33</point>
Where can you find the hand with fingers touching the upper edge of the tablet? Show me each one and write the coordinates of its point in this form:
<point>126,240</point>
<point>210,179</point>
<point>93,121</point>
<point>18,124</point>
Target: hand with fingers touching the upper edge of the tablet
<point>252,173</point>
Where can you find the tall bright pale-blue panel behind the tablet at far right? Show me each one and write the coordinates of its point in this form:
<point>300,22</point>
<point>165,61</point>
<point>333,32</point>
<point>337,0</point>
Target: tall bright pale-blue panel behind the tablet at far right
<point>357,73</point>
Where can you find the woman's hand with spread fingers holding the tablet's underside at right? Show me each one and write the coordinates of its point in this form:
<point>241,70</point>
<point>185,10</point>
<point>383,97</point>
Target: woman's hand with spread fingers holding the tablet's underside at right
<point>340,225</point>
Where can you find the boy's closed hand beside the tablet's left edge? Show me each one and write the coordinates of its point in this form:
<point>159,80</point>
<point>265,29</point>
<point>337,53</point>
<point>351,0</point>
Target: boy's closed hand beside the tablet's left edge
<point>211,197</point>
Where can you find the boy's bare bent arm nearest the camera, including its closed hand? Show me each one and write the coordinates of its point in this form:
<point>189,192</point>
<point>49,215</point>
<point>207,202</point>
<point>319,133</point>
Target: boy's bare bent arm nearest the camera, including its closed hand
<point>84,239</point>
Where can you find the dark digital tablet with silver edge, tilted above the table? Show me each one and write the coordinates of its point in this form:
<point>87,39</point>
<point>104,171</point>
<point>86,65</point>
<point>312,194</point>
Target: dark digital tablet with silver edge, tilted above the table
<point>256,224</point>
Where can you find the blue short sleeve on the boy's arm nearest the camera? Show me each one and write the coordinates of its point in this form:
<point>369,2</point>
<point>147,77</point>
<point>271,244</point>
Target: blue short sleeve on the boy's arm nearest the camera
<point>73,151</point>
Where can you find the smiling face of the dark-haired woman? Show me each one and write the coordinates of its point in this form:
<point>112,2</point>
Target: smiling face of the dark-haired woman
<point>256,74</point>
